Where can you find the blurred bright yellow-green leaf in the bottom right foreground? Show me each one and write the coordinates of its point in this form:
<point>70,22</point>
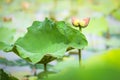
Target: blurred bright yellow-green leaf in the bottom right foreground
<point>101,67</point>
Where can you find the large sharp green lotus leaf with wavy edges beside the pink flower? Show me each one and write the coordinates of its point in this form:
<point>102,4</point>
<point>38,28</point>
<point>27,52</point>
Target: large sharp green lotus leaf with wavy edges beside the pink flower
<point>48,38</point>
